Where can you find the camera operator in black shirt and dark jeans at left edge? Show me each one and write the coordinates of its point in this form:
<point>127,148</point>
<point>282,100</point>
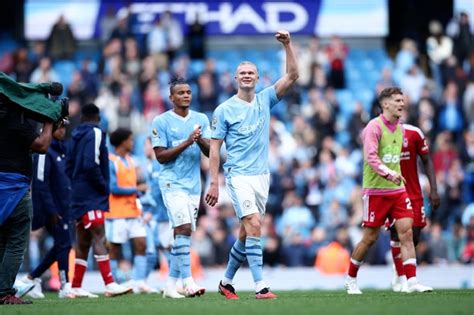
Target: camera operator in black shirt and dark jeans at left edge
<point>18,139</point>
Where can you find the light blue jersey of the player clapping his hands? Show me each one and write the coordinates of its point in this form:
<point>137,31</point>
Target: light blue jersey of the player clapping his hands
<point>168,131</point>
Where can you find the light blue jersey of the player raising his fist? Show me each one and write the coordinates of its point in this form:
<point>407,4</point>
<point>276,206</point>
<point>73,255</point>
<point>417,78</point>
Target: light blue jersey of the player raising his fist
<point>245,128</point>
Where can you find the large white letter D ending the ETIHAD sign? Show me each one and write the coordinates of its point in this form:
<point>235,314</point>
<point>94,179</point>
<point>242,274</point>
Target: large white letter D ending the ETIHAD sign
<point>273,11</point>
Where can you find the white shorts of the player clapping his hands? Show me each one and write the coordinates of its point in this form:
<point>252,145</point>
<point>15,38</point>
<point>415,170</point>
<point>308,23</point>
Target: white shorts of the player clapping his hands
<point>182,208</point>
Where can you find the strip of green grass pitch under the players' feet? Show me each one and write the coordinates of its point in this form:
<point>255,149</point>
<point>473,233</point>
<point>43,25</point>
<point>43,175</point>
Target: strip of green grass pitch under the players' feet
<point>288,303</point>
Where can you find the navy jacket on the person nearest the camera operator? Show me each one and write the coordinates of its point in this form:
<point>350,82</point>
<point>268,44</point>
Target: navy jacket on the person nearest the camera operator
<point>51,187</point>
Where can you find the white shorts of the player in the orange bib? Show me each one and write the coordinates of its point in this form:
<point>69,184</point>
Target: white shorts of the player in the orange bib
<point>119,231</point>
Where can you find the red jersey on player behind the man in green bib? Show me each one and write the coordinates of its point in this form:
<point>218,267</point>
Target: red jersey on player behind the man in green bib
<point>414,144</point>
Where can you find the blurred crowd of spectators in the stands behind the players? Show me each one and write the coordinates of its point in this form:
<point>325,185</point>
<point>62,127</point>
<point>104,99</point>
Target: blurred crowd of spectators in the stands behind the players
<point>315,200</point>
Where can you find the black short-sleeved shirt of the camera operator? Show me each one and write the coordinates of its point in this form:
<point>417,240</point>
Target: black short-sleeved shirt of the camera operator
<point>16,136</point>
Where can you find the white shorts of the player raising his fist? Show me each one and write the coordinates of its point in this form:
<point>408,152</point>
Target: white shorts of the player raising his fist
<point>249,194</point>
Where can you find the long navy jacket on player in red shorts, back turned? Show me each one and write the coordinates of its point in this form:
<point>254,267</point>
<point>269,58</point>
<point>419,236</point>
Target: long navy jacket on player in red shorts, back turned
<point>88,168</point>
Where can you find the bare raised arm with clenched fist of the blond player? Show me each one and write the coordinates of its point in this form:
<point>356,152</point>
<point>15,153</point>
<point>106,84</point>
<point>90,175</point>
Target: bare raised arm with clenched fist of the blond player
<point>289,78</point>
